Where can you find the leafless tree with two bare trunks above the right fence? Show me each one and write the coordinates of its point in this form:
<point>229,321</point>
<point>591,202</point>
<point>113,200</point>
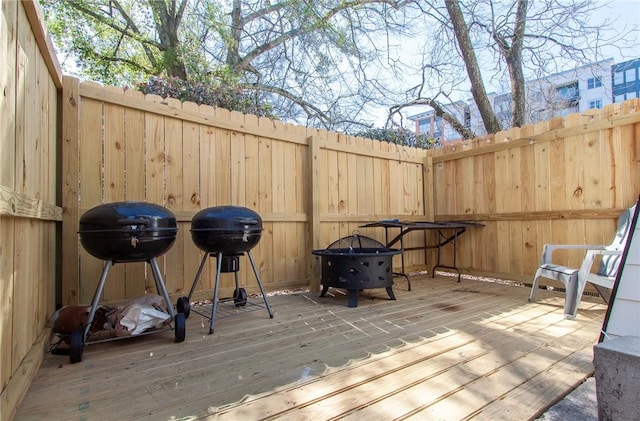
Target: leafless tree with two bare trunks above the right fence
<point>493,39</point>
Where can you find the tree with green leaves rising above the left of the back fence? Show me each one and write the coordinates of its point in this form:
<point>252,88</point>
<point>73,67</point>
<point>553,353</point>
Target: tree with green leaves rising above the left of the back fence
<point>313,61</point>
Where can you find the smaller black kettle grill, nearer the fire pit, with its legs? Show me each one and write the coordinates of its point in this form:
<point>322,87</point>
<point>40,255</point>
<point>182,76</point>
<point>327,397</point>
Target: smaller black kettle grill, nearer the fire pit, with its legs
<point>226,232</point>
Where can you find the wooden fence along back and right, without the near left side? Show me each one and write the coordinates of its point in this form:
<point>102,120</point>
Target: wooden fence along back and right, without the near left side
<point>562,181</point>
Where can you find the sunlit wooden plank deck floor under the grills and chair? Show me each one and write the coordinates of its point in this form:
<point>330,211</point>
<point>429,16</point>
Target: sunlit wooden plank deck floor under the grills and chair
<point>445,351</point>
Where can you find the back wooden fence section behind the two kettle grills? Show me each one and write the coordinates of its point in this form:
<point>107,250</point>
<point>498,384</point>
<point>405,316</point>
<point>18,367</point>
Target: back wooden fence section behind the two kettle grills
<point>120,145</point>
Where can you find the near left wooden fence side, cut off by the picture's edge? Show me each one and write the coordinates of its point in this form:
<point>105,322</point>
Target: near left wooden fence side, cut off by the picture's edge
<point>29,90</point>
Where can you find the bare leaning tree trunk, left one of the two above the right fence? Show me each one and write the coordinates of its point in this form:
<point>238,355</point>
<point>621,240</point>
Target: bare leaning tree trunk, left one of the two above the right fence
<point>489,119</point>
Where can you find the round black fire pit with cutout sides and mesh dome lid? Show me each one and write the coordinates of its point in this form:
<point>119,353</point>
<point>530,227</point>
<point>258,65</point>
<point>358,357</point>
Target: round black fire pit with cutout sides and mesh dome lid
<point>355,263</point>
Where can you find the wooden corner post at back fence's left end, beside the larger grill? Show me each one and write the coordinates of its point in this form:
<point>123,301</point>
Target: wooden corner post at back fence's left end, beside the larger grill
<point>70,134</point>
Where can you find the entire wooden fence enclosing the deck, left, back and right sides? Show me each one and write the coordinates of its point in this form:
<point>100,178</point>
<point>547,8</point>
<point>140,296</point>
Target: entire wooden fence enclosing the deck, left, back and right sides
<point>66,147</point>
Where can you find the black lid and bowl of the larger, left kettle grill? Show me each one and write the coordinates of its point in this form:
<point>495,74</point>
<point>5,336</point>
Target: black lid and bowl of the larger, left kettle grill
<point>127,231</point>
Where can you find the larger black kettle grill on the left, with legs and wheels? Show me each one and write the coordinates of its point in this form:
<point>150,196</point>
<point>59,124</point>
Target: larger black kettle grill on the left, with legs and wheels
<point>123,232</point>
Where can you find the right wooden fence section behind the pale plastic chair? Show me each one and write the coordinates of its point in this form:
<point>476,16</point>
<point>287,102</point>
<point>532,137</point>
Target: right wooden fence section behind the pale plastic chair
<point>563,181</point>
